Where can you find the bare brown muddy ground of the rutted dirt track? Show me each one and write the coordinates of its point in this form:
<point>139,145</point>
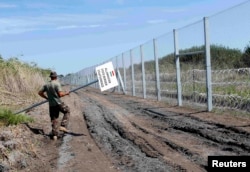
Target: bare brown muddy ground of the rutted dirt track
<point>111,132</point>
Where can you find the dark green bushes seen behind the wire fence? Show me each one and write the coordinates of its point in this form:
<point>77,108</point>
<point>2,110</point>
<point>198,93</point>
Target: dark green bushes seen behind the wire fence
<point>221,58</point>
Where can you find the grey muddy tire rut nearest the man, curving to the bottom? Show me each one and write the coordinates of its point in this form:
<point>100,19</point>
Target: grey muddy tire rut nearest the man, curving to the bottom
<point>109,135</point>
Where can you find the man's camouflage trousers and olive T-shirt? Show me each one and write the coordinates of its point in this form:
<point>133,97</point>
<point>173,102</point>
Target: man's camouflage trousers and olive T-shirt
<point>56,105</point>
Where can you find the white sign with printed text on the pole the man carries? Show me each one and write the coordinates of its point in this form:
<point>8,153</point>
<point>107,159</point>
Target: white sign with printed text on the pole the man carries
<point>106,76</point>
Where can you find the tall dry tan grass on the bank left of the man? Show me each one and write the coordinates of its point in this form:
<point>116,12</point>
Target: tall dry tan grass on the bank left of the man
<point>20,82</point>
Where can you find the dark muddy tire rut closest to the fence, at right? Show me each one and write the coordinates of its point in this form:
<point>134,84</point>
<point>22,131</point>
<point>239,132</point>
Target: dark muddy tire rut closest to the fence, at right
<point>227,137</point>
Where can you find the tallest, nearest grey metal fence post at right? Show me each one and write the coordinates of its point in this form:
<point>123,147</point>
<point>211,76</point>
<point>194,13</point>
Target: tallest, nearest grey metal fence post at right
<point>208,65</point>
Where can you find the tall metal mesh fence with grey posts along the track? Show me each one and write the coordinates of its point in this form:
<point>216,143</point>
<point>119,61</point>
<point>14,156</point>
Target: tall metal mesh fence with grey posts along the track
<point>180,69</point>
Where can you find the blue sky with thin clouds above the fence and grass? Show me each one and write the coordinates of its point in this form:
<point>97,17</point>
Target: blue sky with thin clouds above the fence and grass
<point>70,35</point>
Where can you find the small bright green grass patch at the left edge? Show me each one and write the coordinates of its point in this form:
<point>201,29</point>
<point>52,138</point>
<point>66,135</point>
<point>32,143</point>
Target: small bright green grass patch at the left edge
<point>7,117</point>
